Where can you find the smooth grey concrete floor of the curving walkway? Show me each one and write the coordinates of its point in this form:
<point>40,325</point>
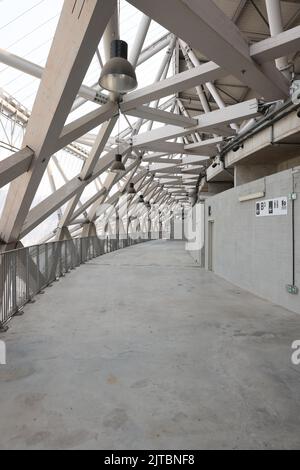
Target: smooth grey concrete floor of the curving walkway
<point>143,349</point>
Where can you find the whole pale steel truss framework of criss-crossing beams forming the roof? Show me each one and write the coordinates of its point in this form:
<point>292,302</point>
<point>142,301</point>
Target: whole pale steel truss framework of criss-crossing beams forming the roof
<point>224,63</point>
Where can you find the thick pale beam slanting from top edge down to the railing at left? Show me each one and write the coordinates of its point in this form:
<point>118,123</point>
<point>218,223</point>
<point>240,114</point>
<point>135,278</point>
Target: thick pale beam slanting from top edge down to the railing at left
<point>76,39</point>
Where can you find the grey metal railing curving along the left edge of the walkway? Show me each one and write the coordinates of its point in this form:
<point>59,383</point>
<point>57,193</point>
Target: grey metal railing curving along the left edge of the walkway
<point>25,272</point>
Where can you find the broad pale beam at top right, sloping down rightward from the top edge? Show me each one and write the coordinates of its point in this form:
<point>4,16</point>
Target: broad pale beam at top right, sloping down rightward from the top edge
<point>206,28</point>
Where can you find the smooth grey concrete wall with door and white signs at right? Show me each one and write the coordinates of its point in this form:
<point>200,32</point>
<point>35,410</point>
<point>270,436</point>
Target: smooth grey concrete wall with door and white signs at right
<point>252,252</point>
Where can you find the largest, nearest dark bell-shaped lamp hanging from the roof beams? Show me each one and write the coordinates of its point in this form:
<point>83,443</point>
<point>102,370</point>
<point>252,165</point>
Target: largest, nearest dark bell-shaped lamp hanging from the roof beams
<point>118,74</point>
